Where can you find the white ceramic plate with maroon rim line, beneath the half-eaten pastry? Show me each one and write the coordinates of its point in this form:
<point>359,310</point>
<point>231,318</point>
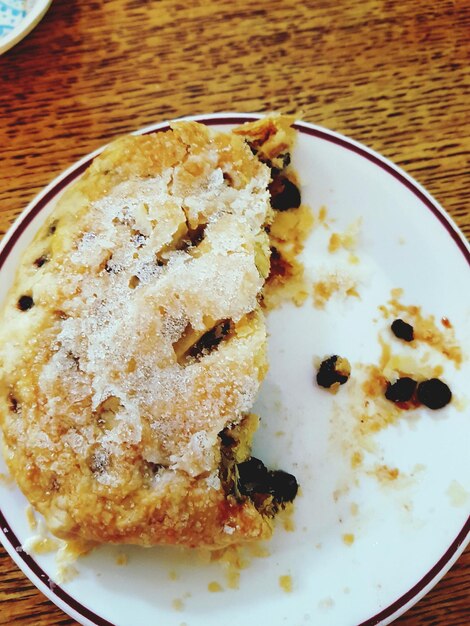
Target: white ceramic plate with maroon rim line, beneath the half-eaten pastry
<point>407,533</point>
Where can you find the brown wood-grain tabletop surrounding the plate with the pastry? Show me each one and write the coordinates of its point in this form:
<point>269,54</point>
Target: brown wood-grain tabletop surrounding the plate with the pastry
<point>393,75</point>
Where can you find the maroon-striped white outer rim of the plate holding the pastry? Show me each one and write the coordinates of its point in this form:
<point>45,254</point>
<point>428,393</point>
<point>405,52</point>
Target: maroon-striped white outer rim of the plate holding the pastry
<point>27,564</point>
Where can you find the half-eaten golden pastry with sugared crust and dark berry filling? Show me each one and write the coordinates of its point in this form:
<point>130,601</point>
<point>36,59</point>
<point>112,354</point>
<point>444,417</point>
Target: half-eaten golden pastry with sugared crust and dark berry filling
<point>132,343</point>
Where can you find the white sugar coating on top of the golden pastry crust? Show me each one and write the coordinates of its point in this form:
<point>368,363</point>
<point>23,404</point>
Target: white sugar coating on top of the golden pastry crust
<point>134,284</point>
